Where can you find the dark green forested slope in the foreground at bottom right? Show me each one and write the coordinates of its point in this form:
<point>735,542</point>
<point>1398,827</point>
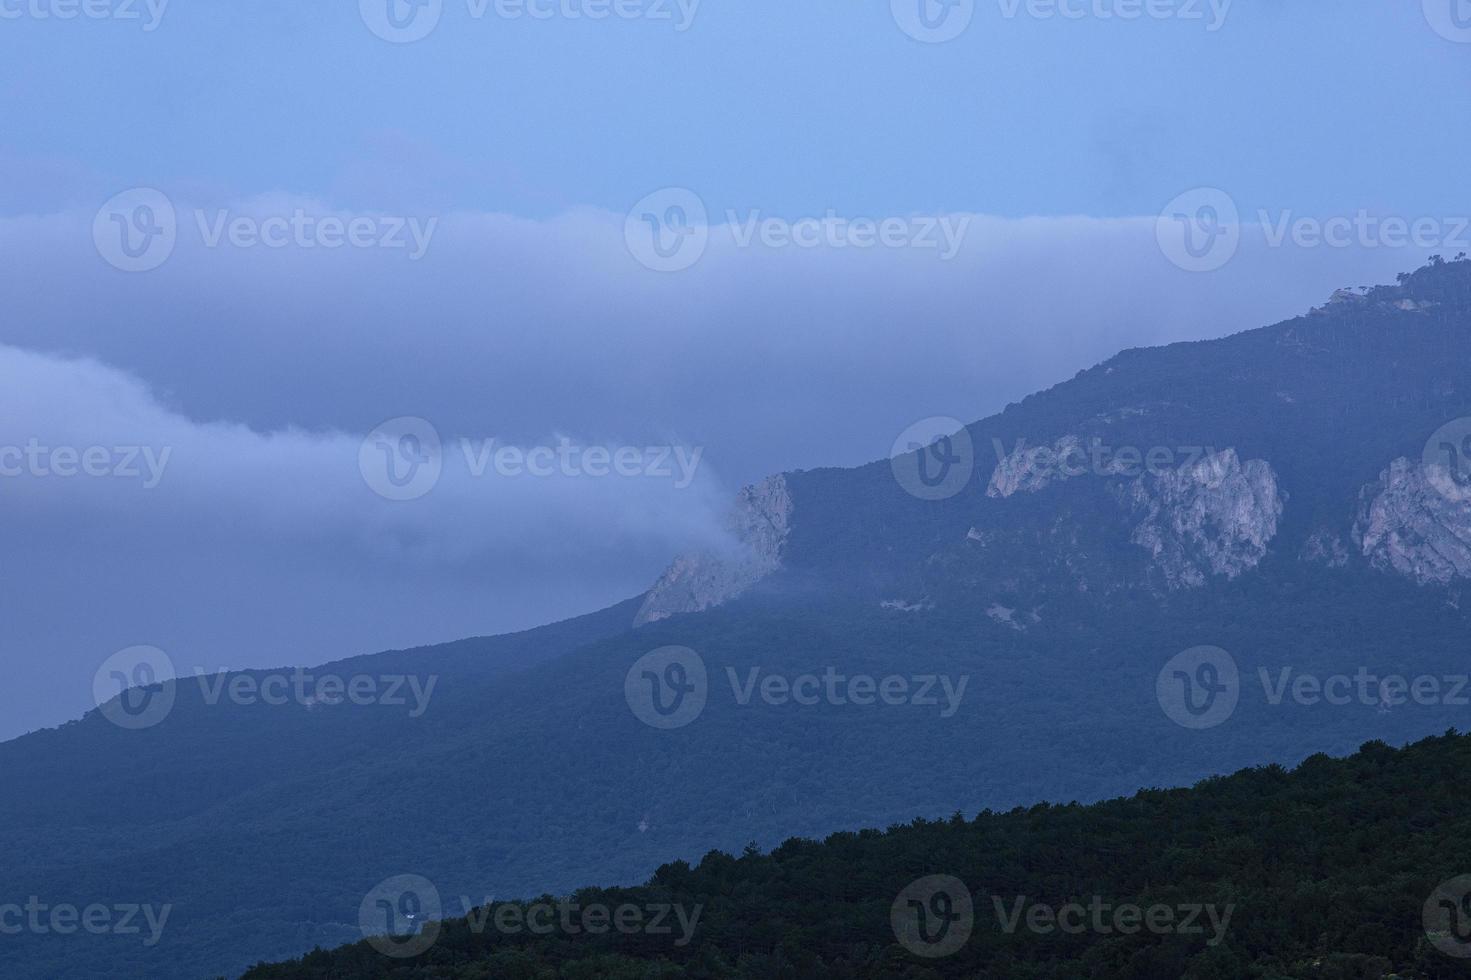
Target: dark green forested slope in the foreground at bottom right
<point>1326,872</point>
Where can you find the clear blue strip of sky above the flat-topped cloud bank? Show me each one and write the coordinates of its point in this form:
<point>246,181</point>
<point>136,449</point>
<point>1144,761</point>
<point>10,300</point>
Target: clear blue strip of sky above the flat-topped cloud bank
<point>788,107</point>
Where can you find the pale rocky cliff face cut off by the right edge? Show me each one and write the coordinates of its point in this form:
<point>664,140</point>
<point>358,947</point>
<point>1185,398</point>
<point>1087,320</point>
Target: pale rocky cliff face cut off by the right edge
<point>1416,523</point>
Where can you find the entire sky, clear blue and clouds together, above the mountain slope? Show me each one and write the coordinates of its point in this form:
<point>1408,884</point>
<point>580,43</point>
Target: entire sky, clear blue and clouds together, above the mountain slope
<point>722,239</point>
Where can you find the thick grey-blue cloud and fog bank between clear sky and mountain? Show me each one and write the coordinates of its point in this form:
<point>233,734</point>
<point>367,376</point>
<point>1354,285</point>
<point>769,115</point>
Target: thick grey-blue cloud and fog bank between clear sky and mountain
<point>264,445</point>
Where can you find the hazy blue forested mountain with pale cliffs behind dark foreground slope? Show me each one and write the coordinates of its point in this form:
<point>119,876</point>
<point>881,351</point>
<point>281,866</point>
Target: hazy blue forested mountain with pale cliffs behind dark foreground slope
<point>1182,563</point>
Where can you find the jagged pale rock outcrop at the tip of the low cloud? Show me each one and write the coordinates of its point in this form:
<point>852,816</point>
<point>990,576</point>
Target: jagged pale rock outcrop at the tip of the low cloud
<point>758,526</point>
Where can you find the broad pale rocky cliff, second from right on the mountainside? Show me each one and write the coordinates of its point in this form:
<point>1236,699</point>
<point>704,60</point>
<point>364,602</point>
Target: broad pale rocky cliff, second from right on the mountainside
<point>1211,519</point>
